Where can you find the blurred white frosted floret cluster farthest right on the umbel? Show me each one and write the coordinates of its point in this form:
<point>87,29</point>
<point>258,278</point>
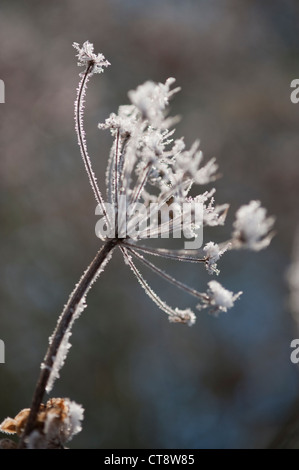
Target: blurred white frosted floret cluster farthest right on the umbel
<point>252,227</point>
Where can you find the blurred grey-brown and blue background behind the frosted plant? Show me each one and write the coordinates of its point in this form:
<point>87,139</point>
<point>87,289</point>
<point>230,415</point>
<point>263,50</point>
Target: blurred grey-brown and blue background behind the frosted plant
<point>228,382</point>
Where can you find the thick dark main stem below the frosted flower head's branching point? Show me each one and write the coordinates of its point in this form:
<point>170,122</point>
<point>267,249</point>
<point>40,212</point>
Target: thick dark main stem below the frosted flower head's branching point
<point>62,326</point>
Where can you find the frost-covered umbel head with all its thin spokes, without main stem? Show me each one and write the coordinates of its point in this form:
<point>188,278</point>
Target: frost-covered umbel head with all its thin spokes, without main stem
<point>148,165</point>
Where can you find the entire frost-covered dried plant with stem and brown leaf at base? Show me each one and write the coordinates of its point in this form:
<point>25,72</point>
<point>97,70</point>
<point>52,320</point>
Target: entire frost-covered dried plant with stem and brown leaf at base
<point>148,170</point>
